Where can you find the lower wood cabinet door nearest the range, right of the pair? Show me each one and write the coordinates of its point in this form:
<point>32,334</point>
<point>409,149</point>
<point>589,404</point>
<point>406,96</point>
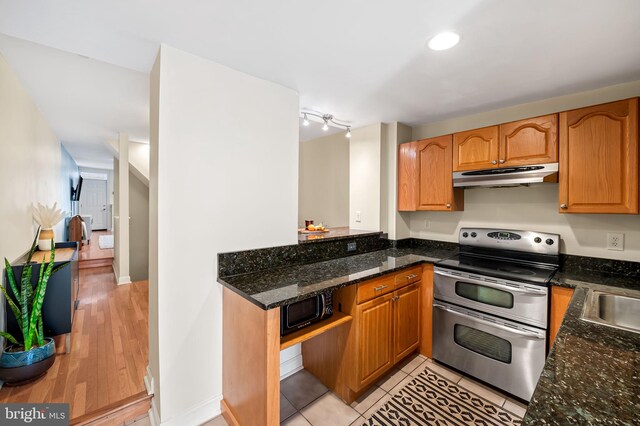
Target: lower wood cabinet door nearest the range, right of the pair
<point>406,320</point>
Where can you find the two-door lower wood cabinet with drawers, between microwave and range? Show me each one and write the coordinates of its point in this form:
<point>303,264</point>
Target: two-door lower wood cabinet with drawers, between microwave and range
<point>386,327</point>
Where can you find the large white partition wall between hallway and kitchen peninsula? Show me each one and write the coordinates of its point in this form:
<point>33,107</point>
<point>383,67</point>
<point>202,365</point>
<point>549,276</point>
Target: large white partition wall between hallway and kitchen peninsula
<point>211,175</point>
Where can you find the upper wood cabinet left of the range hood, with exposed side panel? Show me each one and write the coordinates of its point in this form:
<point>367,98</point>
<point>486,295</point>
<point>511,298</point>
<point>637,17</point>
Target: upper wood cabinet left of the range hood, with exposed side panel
<point>425,179</point>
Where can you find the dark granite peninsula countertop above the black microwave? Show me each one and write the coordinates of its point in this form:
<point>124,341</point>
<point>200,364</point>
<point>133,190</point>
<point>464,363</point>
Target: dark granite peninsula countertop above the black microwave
<point>277,287</point>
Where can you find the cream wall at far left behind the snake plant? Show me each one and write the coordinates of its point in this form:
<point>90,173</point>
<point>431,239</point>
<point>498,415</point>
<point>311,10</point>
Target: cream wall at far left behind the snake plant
<point>30,157</point>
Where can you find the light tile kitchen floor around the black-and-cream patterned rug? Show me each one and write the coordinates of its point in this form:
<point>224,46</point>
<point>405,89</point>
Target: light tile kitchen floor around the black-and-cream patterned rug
<point>305,401</point>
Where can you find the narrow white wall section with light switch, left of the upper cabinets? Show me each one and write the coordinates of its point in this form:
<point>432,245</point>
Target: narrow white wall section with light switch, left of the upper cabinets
<point>365,189</point>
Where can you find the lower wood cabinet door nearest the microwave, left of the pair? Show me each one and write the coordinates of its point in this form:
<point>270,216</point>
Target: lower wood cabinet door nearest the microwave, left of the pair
<point>375,354</point>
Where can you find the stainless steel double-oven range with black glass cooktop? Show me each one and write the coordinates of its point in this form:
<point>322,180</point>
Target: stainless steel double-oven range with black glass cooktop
<point>491,306</point>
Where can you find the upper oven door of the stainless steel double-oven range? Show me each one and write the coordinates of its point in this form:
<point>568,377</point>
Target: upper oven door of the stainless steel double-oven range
<point>522,302</point>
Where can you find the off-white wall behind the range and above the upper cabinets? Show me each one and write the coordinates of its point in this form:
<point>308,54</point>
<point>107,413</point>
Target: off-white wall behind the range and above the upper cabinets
<point>536,207</point>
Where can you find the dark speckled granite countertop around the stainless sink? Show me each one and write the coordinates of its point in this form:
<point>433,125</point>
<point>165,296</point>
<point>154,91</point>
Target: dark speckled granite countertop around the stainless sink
<point>591,376</point>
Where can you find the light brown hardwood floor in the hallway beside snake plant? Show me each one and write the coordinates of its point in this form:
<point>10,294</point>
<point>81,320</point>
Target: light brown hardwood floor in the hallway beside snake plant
<point>109,345</point>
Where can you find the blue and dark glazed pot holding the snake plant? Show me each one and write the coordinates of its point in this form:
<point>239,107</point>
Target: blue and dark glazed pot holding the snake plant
<point>17,368</point>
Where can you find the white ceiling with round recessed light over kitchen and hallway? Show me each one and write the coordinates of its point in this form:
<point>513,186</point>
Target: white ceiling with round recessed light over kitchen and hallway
<point>361,61</point>
